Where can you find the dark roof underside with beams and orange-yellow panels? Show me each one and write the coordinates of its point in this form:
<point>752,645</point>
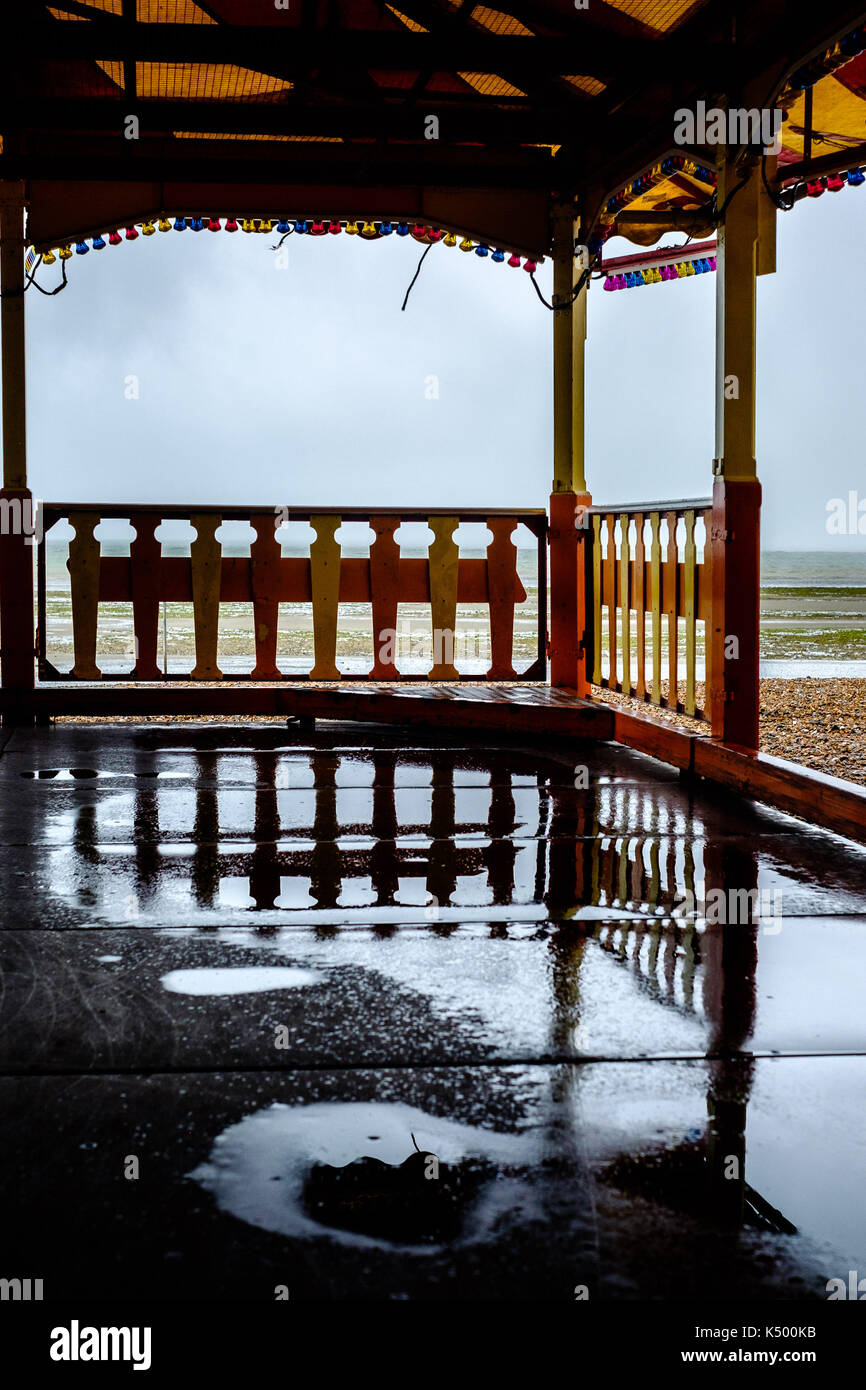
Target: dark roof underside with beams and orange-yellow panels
<point>323,106</point>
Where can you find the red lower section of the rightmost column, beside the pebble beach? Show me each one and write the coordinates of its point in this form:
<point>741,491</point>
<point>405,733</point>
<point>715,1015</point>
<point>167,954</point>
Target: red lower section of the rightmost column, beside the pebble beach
<point>735,640</point>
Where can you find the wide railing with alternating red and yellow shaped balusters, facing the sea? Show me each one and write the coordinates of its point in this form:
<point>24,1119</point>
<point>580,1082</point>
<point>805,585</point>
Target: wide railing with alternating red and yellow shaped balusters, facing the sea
<point>266,579</point>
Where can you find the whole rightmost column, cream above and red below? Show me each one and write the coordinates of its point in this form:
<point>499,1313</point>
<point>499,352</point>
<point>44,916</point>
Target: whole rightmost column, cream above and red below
<point>746,251</point>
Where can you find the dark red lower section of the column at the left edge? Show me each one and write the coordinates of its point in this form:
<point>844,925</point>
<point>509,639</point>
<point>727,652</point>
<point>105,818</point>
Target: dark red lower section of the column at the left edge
<point>17,650</point>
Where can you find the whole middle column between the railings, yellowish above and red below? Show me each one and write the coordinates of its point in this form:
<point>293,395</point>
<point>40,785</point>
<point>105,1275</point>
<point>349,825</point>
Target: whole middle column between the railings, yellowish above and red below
<point>569,523</point>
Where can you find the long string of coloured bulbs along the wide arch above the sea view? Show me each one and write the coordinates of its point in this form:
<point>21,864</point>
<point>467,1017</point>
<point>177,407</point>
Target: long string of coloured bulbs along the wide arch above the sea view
<point>286,227</point>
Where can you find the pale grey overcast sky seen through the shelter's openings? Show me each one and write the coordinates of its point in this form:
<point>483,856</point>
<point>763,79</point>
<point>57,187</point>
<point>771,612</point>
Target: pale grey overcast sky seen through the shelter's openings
<point>307,386</point>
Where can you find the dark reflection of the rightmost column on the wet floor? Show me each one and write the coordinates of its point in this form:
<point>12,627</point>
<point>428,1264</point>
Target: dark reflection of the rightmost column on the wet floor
<point>730,954</point>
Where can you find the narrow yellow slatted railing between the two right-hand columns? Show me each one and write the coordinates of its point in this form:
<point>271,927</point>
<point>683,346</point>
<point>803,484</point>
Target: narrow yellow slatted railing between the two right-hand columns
<point>648,565</point>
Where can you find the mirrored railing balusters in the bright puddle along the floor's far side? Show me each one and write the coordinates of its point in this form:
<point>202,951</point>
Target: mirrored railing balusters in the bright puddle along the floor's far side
<point>319,844</point>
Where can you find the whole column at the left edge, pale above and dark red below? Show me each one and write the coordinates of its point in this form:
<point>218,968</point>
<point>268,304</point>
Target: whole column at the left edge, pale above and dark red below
<point>17,505</point>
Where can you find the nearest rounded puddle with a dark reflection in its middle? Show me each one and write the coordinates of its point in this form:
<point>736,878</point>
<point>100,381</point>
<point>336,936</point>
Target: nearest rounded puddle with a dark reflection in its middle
<point>280,1167</point>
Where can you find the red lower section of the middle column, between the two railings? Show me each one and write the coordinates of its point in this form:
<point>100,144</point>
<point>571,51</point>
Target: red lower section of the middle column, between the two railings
<point>571,537</point>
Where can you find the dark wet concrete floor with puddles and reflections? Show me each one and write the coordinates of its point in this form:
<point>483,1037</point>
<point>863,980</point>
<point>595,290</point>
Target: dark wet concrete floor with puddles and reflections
<point>447,1021</point>
